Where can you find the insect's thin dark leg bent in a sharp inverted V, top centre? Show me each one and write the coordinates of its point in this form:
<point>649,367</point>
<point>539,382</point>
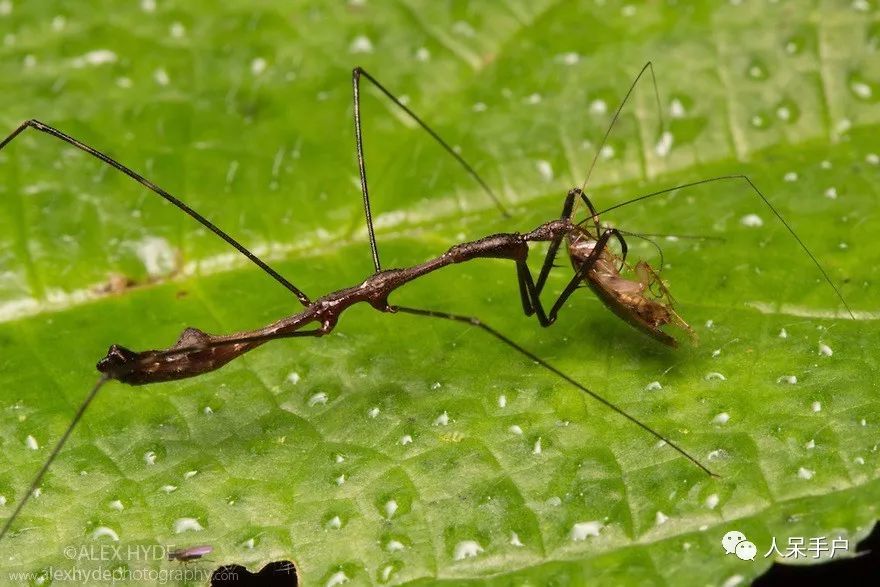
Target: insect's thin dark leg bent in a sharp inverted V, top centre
<point>356,75</point>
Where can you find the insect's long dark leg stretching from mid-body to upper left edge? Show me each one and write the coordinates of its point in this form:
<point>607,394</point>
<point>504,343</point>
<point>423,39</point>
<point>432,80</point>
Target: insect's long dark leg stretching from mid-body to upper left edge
<point>37,125</point>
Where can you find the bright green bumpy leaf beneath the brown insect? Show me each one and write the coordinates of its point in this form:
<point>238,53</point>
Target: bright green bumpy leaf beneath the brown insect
<point>385,452</point>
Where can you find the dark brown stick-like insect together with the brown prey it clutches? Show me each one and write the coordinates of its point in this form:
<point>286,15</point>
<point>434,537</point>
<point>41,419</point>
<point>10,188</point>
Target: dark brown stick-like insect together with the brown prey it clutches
<point>643,302</point>
